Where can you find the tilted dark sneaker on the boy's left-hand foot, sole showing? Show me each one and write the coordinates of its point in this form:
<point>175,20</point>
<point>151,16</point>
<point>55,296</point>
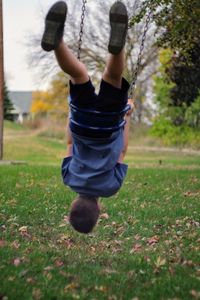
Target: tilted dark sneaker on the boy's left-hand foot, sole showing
<point>54,26</point>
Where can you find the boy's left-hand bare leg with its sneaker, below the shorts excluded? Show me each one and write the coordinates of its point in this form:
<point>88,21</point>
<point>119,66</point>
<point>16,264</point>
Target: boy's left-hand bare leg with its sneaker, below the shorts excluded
<point>53,40</point>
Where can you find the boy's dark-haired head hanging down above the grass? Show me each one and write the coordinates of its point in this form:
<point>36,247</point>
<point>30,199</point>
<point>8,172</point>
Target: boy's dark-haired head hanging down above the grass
<point>84,213</point>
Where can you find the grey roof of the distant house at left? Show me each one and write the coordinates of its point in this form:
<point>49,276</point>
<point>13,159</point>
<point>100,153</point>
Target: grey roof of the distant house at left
<point>21,100</point>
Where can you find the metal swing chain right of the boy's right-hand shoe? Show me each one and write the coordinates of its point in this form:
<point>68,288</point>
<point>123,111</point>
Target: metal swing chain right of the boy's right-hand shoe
<point>135,75</point>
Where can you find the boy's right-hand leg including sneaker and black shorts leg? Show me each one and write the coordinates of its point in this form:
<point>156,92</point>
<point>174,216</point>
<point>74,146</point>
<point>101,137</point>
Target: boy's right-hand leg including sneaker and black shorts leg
<point>113,93</point>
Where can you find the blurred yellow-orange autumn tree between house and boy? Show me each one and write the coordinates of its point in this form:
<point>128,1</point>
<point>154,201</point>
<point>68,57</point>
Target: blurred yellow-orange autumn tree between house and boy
<point>53,102</point>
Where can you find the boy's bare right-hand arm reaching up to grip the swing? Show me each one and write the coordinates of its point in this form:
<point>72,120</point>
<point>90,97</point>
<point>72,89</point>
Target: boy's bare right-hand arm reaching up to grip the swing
<point>126,130</point>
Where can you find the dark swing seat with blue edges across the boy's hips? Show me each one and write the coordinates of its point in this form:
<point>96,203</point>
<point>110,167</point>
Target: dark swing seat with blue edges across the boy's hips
<point>97,121</point>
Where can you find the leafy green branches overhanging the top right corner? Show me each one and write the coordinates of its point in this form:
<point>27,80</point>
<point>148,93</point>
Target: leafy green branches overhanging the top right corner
<point>179,18</point>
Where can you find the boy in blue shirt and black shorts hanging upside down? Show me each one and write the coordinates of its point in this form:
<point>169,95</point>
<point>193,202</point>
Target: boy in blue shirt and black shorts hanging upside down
<point>93,166</point>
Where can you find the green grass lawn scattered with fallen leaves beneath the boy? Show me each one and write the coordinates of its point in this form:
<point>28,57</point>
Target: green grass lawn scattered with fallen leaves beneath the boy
<point>145,246</point>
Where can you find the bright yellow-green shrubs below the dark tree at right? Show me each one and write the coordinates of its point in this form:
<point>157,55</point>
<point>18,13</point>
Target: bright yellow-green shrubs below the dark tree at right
<point>175,124</point>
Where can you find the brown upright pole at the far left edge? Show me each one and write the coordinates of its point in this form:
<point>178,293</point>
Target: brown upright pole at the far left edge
<point>1,81</point>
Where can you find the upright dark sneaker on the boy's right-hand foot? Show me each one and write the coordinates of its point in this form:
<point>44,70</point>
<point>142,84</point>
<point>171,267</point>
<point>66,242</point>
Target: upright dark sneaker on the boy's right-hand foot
<point>119,26</point>
